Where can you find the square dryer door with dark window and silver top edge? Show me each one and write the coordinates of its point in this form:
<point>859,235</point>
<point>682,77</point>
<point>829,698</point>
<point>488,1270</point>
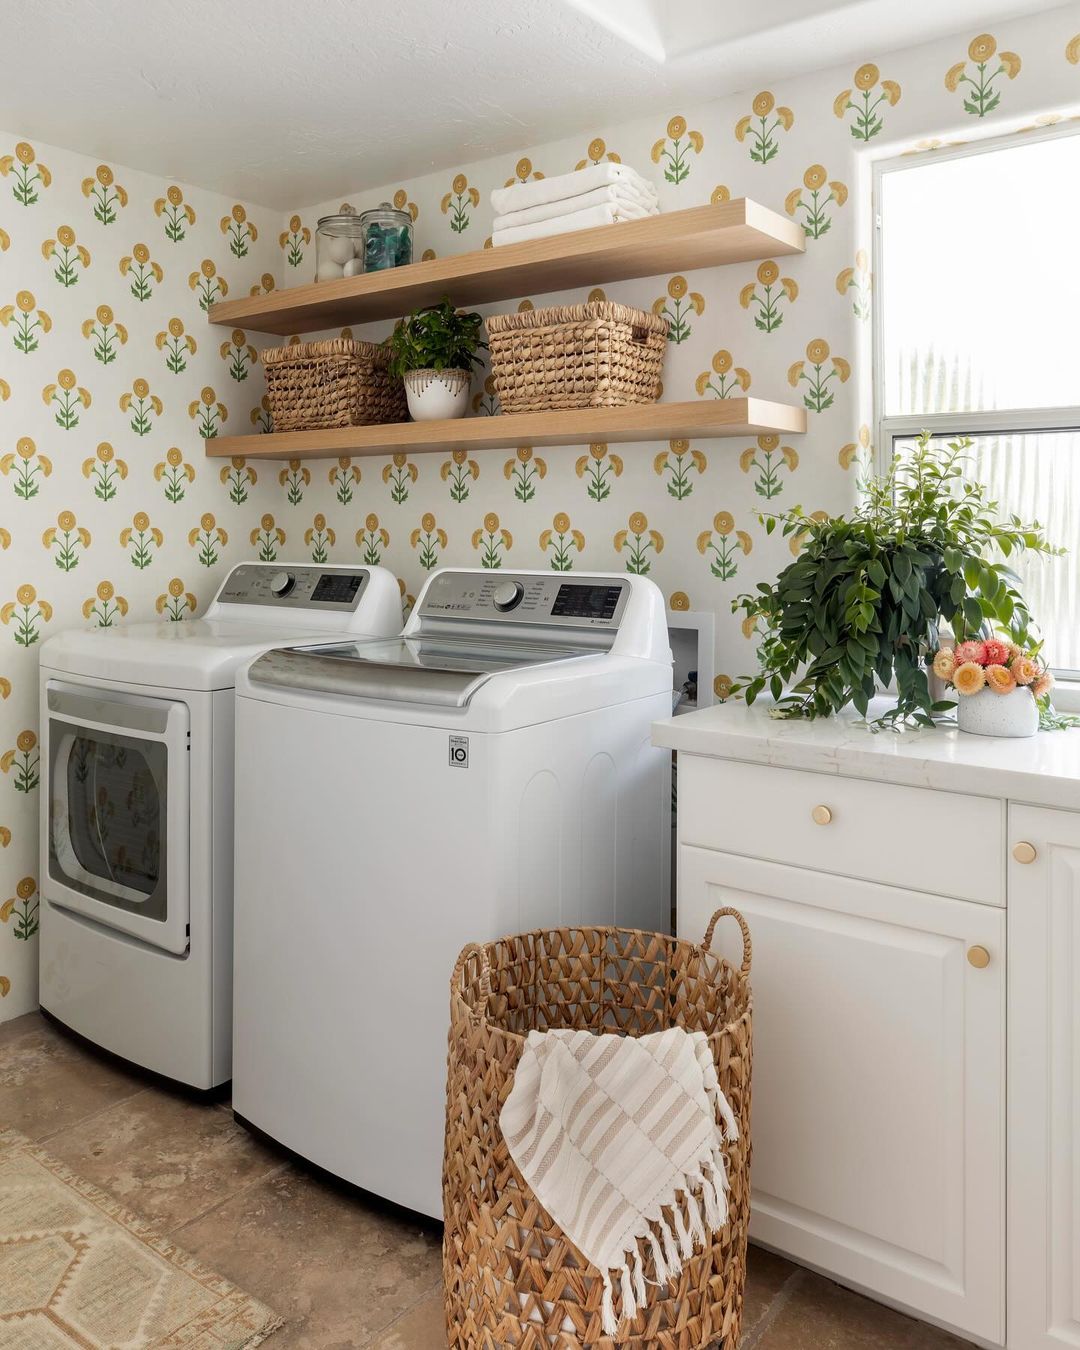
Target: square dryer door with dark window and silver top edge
<point>117,785</point>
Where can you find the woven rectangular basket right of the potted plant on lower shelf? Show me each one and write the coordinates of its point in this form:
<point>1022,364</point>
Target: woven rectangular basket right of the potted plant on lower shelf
<point>596,356</point>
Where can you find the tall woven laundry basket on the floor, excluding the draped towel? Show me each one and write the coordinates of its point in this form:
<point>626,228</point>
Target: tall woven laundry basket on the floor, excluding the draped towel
<point>512,1276</point>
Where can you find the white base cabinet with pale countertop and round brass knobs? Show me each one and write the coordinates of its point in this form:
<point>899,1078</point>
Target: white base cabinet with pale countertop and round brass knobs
<point>915,902</point>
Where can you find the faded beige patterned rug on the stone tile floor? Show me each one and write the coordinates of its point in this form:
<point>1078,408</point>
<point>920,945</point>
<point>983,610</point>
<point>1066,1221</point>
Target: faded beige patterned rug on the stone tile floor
<point>80,1271</point>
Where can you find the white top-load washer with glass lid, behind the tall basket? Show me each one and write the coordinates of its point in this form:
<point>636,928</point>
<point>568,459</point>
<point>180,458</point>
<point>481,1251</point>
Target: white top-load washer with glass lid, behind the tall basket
<point>488,773</point>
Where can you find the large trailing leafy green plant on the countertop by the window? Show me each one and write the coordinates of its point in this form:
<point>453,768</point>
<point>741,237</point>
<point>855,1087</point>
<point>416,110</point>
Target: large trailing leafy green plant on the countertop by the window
<point>863,601</point>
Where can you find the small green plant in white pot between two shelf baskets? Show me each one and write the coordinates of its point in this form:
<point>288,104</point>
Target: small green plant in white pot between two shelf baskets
<point>434,350</point>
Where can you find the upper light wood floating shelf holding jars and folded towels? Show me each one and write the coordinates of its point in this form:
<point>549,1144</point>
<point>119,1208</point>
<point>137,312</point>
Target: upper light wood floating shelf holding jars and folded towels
<point>681,241</point>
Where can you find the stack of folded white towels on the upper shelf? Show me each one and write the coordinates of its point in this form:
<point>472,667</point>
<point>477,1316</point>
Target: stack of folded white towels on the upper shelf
<point>600,195</point>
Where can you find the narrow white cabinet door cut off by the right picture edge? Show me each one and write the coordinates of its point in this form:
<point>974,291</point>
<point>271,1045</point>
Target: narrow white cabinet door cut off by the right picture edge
<point>1044,1079</point>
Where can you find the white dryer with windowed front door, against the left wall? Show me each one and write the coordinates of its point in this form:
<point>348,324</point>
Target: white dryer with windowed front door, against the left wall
<point>137,809</point>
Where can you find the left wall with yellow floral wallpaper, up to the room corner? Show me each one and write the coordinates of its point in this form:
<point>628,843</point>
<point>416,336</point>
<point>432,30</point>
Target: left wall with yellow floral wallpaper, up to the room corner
<point>110,377</point>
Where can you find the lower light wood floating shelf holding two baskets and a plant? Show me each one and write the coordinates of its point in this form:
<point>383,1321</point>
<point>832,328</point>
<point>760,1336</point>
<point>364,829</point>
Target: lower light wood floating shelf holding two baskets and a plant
<point>583,427</point>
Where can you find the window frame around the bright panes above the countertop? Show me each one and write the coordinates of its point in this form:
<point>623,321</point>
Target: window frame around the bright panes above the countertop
<point>890,429</point>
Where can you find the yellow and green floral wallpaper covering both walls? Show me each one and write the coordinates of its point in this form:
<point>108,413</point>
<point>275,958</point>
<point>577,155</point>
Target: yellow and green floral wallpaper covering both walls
<point>111,377</point>
